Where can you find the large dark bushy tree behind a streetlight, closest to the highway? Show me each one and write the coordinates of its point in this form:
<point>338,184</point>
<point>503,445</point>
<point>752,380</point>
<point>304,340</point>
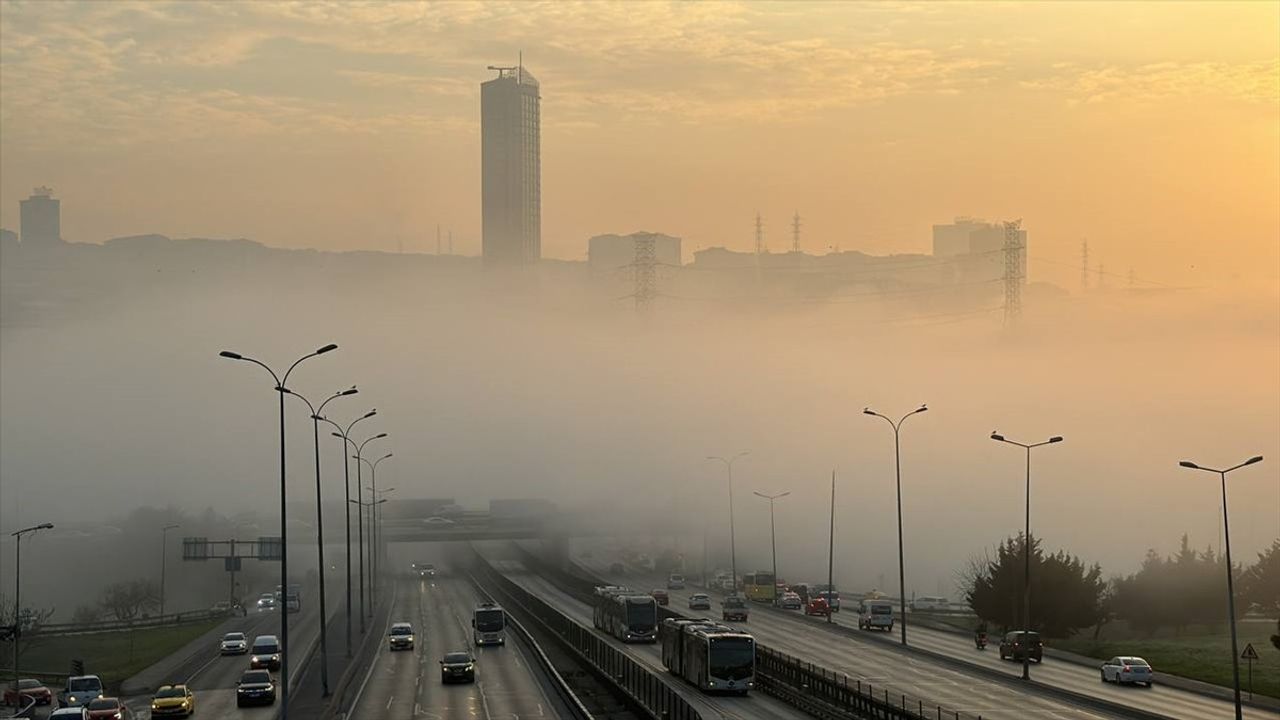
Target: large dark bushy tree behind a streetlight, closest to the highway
<point>1066,594</point>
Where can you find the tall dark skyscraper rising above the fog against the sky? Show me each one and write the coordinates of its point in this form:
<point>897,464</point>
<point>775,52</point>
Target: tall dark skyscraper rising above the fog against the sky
<point>511,168</point>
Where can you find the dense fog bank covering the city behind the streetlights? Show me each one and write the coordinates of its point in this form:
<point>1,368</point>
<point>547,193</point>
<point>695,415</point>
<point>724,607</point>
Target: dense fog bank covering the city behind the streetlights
<point>541,386</point>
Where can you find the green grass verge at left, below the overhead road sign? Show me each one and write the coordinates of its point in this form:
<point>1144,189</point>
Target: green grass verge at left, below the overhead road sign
<point>113,657</point>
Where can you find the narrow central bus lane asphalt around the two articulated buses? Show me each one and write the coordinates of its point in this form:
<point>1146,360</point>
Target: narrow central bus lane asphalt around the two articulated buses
<point>757,707</point>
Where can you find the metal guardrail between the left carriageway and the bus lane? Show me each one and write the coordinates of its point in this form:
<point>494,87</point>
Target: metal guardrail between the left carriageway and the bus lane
<point>650,692</point>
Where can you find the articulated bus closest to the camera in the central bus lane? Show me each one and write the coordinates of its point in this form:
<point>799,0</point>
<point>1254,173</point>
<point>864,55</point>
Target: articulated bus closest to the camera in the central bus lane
<point>714,658</point>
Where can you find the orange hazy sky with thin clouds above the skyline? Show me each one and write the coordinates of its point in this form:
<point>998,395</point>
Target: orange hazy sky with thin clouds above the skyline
<point>1153,130</point>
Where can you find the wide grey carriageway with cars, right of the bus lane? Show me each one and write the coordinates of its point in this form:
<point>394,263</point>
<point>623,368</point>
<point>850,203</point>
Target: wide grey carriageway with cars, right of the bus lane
<point>877,658</point>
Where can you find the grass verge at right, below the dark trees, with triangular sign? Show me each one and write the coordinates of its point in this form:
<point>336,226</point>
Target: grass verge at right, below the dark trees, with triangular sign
<point>1203,657</point>
